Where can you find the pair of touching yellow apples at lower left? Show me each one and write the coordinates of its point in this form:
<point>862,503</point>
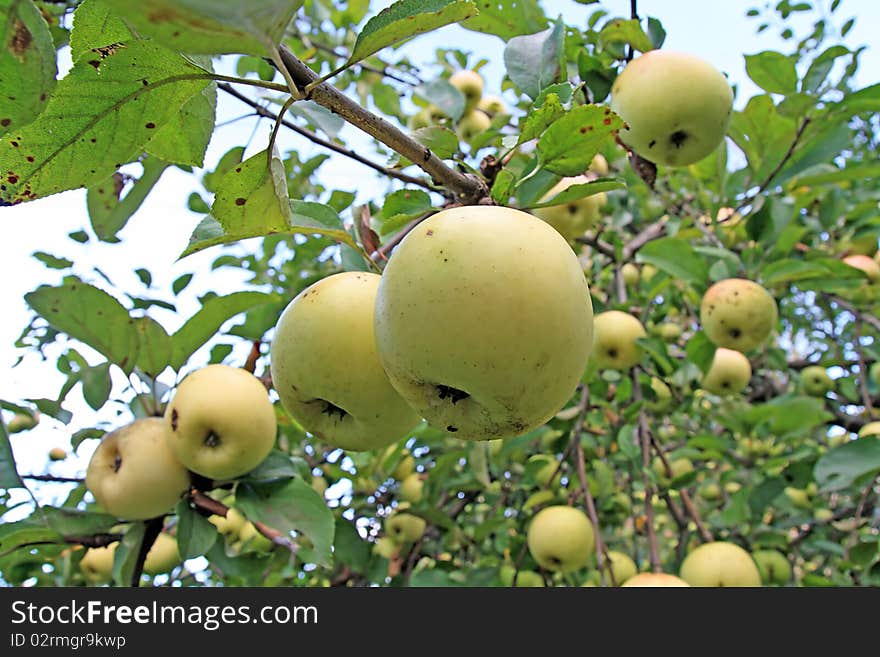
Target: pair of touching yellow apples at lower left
<point>219,424</point>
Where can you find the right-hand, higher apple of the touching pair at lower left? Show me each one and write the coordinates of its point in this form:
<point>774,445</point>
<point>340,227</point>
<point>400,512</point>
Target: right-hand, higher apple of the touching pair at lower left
<point>221,422</point>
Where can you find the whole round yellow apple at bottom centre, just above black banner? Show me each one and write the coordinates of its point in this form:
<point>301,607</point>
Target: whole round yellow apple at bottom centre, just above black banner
<point>560,538</point>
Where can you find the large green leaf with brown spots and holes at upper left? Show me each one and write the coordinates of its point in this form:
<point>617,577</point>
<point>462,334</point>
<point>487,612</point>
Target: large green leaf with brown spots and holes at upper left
<point>102,114</point>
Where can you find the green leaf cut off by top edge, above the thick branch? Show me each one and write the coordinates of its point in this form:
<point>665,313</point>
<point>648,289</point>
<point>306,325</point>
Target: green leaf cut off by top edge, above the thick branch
<point>211,27</point>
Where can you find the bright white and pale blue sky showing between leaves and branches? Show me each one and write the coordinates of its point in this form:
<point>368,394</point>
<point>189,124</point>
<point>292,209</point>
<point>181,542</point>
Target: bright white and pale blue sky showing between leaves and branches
<point>718,32</point>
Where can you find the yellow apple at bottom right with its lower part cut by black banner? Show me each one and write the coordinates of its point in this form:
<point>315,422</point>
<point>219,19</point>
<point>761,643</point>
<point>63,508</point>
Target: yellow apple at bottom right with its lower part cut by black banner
<point>720,564</point>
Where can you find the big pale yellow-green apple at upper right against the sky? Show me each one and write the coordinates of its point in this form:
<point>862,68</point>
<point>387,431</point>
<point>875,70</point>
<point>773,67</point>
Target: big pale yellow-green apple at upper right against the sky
<point>677,107</point>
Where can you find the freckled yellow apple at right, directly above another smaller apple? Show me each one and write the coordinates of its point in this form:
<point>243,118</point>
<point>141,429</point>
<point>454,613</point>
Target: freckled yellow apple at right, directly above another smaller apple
<point>738,314</point>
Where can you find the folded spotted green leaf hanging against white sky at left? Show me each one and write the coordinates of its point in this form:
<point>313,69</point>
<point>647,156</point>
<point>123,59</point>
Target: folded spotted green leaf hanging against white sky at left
<point>108,211</point>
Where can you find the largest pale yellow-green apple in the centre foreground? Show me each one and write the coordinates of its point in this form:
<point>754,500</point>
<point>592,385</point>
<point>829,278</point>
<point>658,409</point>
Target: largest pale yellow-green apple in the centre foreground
<point>481,345</point>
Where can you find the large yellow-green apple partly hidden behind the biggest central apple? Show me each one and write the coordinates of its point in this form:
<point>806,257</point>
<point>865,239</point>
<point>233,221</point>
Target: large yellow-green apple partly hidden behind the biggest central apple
<point>326,370</point>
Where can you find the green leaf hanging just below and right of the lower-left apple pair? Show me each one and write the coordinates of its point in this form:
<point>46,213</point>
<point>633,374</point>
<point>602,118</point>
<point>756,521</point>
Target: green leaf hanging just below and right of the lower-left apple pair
<point>293,506</point>
